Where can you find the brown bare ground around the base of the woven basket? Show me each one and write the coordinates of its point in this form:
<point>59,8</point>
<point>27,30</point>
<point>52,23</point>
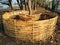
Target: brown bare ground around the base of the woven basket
<point>6,40</point>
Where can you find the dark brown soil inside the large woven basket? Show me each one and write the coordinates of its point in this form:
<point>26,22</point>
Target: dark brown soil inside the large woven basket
<point>43,16</point>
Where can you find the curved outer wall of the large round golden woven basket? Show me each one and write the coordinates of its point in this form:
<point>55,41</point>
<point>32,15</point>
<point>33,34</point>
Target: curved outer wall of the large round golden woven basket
<point>29,30</point>
